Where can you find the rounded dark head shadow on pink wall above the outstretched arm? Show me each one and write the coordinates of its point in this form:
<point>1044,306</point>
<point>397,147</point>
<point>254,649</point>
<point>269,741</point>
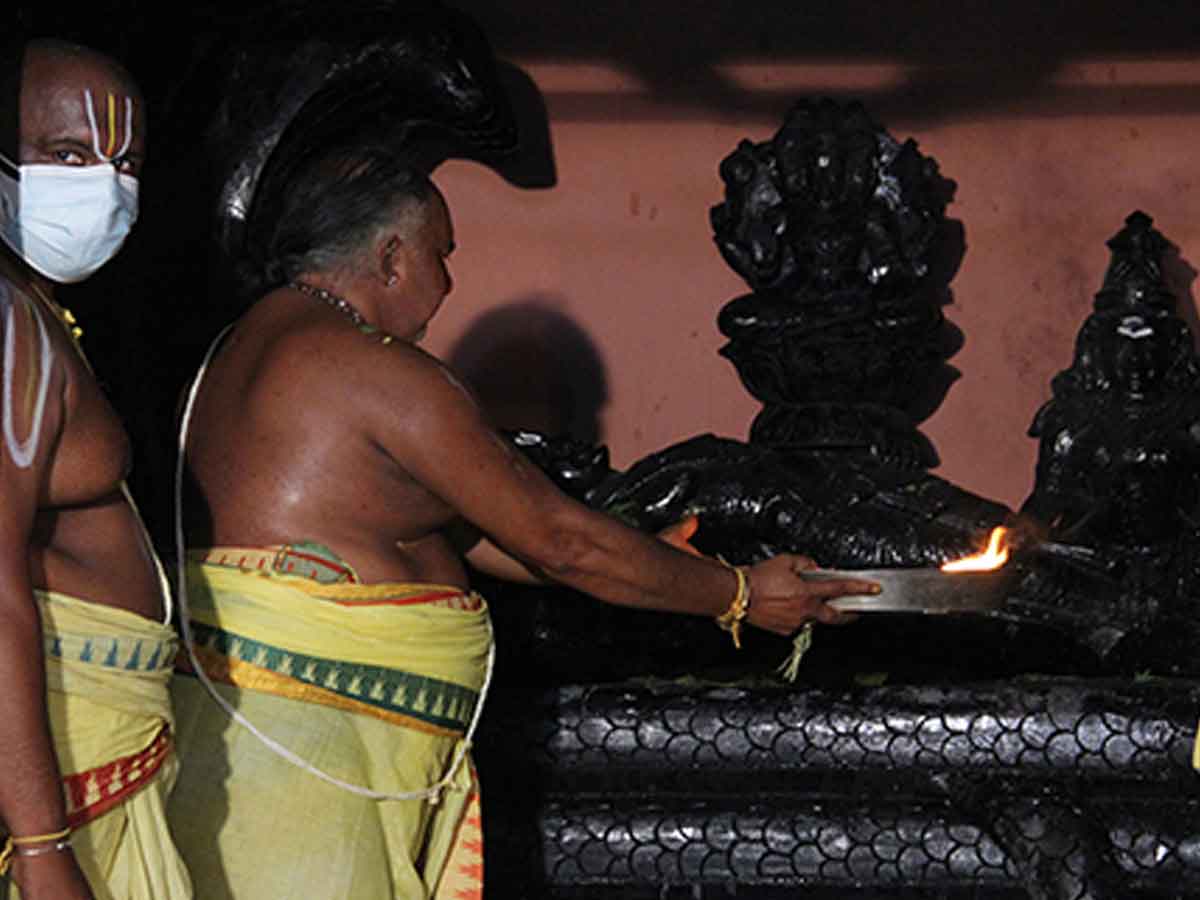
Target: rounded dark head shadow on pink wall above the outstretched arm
<point>532,368</point>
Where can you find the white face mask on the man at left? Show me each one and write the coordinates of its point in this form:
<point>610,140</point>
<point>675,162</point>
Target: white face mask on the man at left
<point>67,221</point>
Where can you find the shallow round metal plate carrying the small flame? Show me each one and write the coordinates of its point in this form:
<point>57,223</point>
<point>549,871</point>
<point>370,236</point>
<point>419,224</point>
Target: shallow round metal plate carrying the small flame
<point>922,591</point>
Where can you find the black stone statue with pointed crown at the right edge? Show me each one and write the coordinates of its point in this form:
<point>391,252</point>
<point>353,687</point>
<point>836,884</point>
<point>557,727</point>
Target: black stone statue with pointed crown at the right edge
<point>1119,473</point>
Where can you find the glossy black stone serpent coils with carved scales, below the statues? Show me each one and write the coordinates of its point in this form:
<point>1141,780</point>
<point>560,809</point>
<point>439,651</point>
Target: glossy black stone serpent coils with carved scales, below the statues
<point>1058,789</point>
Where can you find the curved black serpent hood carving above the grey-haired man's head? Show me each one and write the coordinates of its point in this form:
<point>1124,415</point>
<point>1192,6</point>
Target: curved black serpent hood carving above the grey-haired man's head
<point>419,77</point>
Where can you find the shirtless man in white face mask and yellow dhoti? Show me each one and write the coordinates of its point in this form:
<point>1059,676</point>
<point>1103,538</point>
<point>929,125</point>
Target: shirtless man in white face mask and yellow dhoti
<point>86,644</point>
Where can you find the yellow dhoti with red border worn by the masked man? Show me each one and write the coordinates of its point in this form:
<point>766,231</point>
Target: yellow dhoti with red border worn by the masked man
<point>107,673</point>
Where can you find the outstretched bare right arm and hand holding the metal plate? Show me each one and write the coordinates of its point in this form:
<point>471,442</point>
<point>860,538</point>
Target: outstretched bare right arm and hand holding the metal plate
<point>433,428</point>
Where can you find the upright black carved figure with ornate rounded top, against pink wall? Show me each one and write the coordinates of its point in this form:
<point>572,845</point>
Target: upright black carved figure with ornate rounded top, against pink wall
<point>835,225</point>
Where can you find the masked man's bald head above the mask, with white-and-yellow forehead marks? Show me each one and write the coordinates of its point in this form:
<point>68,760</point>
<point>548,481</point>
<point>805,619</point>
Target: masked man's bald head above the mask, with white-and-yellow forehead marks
<point>79,107</point>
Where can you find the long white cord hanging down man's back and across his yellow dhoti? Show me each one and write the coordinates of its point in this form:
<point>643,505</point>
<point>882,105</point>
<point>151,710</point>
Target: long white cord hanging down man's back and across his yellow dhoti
<point>434,793</point>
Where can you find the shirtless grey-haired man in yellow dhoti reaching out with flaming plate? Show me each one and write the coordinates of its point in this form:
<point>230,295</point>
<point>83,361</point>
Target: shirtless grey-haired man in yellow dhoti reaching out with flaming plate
<point>337,457</point>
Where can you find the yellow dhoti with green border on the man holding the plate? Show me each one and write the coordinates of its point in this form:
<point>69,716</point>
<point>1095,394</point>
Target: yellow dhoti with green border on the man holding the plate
<point>373,685</point>
